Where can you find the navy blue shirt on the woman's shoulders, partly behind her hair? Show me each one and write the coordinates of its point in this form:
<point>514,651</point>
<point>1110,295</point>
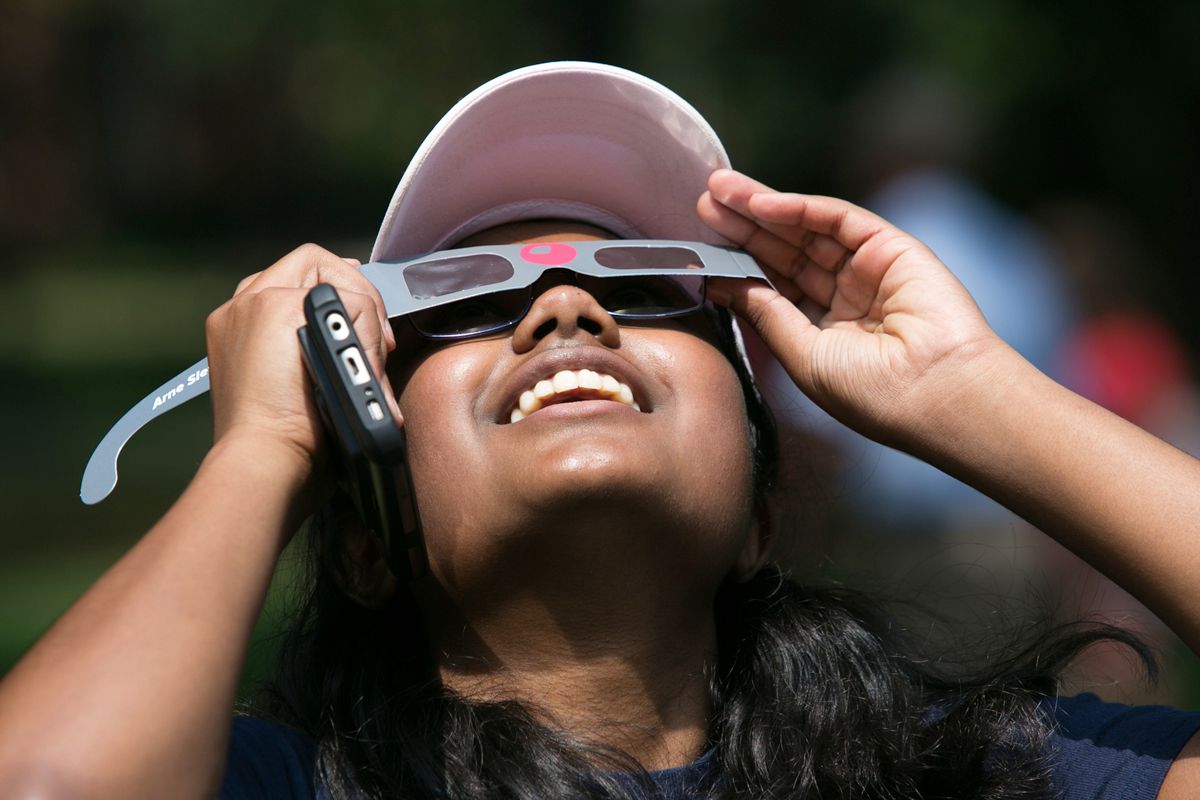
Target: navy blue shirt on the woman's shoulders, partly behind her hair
<point>1105,751</point>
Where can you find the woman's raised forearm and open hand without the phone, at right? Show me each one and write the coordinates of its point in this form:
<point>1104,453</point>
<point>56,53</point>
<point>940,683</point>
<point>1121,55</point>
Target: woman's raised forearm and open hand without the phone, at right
<point>878,332</point>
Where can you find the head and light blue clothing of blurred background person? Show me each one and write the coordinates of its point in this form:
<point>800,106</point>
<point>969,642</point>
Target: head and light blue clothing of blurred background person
<point>910,145</point>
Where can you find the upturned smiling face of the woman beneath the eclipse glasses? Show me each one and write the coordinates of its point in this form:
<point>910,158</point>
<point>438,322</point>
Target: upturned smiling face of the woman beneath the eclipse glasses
<point>664,486</point>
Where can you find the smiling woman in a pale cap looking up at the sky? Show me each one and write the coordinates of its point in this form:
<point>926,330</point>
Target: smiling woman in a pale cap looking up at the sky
<point>601,617</point>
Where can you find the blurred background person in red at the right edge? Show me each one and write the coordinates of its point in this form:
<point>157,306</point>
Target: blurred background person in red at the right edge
<point>1124,356</point>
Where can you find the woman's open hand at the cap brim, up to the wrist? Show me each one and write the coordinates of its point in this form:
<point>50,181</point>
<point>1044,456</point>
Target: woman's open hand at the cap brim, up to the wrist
<point>866,320</point>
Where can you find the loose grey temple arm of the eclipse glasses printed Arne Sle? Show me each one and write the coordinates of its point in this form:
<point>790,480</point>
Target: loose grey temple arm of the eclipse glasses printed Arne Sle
<point>100,474</point>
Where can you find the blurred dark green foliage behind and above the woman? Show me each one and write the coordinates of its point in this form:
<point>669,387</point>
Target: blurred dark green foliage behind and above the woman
<point>154,153</point>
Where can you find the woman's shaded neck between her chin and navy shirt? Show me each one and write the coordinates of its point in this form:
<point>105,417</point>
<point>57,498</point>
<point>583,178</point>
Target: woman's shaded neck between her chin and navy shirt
<point>616,663</point>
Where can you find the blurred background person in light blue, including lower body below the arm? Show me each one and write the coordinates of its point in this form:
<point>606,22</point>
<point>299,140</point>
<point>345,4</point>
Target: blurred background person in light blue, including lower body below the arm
<point>909,142</point>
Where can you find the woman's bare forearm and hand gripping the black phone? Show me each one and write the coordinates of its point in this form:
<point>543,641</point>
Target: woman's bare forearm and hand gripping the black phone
<point>159,642</point>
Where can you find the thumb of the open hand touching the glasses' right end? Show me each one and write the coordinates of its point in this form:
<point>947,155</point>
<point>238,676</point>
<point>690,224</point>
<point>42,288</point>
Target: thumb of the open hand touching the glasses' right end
<point>787,332</point>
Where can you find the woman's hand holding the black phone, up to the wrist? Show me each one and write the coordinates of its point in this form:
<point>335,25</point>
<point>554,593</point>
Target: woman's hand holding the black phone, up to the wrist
<point>261,390</point>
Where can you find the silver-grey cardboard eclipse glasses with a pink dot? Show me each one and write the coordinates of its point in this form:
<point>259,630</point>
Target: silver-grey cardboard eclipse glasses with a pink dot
<point>471,292</point>
